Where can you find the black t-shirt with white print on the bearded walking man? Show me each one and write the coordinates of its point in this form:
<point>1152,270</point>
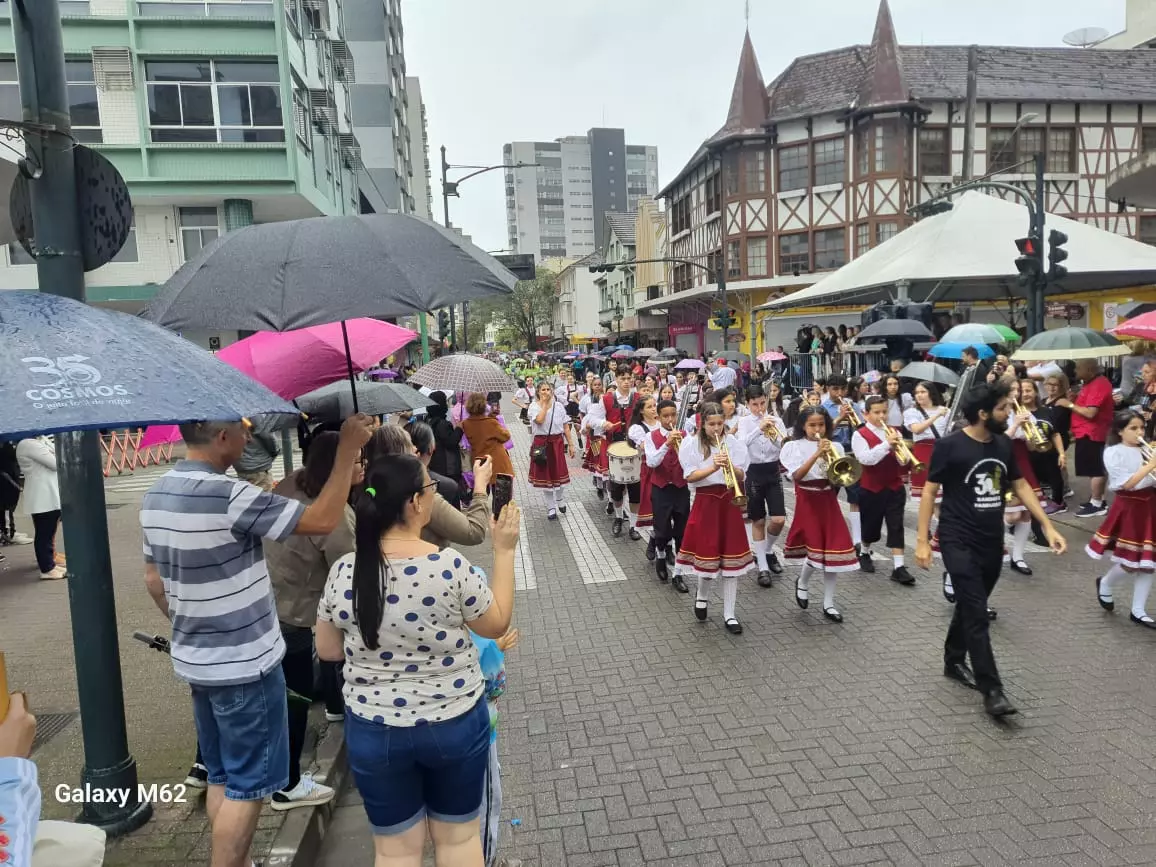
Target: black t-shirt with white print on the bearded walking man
<point>973,477</point>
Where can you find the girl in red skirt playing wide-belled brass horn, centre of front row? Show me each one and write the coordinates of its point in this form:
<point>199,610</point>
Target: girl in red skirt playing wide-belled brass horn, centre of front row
<point>819,536</point>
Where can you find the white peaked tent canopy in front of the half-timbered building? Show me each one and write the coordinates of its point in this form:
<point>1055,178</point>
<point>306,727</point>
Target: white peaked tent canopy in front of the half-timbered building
<point>969,254</point>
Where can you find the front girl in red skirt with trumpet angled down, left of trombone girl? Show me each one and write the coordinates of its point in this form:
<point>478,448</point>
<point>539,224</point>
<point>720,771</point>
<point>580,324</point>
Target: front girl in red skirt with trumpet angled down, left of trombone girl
<point>715,544</point>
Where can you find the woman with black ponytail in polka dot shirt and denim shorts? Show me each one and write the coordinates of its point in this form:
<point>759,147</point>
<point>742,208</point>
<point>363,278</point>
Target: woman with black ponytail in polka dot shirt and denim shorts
<point>397,611</point>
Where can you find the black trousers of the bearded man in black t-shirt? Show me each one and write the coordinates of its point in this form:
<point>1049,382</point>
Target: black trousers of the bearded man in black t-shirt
<point>975,570</point>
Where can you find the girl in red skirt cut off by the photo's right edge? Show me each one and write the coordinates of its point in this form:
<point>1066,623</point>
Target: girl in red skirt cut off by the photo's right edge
<point>1129,532</point>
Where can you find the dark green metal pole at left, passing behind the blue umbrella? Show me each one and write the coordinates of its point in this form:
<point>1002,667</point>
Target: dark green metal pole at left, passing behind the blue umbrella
<point>61,271</point>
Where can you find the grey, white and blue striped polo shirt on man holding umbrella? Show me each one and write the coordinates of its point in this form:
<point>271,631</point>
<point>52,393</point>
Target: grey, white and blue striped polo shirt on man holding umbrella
<point>204,532</point>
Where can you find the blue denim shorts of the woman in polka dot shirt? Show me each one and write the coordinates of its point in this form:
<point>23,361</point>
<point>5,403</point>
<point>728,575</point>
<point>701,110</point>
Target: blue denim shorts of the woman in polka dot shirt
<point>405,774</point>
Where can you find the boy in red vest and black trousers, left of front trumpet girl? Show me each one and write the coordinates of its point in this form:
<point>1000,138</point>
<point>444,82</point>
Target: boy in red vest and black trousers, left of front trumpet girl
<point>670,494</point>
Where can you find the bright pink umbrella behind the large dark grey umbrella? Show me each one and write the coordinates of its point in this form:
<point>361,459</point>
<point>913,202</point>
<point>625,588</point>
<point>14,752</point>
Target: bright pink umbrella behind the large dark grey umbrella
<point>293,364</point>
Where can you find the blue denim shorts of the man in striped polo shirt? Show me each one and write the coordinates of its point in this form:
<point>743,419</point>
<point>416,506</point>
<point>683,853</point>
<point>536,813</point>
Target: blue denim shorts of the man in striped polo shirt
<point>243,731</point>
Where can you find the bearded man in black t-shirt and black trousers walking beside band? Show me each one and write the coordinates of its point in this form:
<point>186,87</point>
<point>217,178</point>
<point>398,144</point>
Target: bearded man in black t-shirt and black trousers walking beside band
<point>975,469</point>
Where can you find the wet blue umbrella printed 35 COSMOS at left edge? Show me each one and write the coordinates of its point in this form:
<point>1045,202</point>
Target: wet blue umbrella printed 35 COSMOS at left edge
<point>72,367</point>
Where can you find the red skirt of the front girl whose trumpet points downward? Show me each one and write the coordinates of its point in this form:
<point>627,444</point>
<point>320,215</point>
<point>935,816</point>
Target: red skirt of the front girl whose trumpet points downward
<point>715,543</point>
